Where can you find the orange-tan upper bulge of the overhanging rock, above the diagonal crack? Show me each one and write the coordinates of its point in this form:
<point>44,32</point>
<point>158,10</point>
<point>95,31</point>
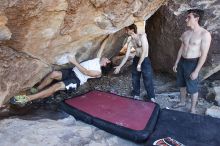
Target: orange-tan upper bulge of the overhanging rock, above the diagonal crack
<point>49,29</point>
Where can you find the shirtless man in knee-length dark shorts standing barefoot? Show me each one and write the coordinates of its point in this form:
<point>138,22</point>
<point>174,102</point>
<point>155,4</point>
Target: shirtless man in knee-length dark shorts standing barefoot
<point>191,57</point>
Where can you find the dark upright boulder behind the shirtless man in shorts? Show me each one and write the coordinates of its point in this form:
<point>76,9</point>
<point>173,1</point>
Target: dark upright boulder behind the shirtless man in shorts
<point>165,27</point>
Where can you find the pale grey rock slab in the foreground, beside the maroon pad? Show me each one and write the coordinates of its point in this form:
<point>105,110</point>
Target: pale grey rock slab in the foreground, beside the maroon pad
<point>46,127</point>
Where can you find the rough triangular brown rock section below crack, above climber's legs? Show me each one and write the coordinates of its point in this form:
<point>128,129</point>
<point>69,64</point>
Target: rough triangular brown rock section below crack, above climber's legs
<point>18,71</point>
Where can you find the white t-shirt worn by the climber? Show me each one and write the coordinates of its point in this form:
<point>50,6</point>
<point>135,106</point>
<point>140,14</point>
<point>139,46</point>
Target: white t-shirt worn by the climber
<point>93,64</point>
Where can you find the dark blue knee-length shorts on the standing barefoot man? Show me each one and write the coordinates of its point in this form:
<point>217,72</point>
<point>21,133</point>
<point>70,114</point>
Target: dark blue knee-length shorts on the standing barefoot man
<point>184,70</point>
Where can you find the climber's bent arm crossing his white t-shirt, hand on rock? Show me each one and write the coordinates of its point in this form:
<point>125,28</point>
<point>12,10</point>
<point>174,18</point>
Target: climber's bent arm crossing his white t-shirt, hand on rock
<point>91,73</point>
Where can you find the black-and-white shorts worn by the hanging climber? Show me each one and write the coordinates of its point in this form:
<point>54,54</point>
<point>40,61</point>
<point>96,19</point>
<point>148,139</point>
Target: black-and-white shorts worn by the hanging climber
<point>70,79</point>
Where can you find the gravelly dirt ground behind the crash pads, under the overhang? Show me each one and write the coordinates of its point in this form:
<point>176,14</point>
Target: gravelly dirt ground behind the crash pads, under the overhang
<point>166,91</point>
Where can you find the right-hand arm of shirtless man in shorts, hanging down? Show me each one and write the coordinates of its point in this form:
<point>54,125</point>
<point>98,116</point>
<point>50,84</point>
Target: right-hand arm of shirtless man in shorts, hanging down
<point>205,44</point>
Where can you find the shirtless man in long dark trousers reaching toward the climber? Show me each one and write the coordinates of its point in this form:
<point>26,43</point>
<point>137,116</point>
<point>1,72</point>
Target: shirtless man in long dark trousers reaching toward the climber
<point>141,63</point>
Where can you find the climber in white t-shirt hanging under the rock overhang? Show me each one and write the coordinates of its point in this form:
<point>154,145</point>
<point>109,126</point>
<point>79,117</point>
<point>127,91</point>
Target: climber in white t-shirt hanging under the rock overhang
<point>68,79</point>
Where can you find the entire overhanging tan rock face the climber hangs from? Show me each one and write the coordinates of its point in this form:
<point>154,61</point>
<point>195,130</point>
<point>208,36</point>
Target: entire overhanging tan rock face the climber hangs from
<point>47,31</point>
